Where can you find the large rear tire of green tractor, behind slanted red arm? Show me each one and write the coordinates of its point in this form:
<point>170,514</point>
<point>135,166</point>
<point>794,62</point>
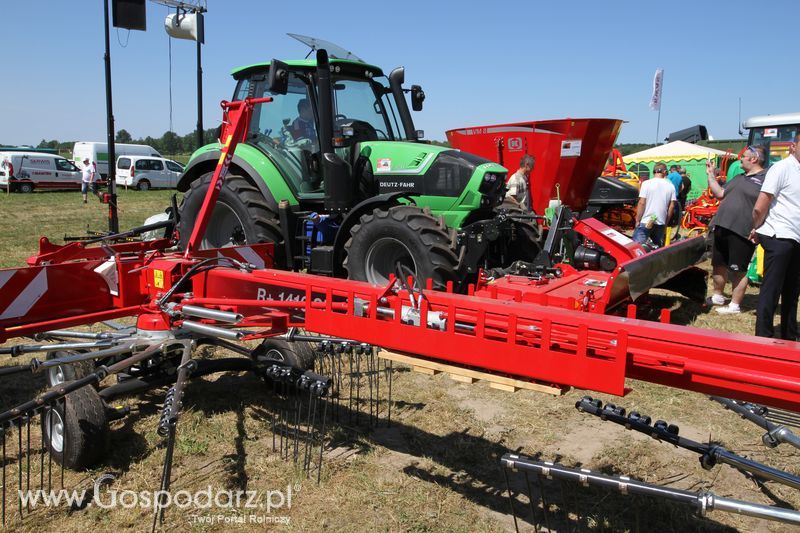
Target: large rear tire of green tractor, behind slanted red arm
<point>241,216</point>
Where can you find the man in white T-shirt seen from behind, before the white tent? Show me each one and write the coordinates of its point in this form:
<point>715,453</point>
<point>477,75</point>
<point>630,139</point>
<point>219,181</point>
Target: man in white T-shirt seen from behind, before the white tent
<point>656,202</point>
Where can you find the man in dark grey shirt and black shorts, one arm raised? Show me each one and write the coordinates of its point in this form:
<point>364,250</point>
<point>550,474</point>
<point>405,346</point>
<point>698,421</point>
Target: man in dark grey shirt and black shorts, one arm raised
<point>732,247</point>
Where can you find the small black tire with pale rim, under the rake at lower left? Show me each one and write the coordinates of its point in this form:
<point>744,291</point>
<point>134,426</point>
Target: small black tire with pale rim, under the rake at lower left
<point>79,441</point>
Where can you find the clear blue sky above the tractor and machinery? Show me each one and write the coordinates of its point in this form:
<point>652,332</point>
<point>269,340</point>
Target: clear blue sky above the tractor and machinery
<point>479,62</point>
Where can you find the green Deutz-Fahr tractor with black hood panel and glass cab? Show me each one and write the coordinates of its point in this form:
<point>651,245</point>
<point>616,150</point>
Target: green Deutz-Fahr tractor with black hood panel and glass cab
<point>335,174</point>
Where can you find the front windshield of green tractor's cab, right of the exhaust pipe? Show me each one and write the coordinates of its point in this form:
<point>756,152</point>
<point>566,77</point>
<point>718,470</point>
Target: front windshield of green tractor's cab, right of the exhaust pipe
<point>365,101</point>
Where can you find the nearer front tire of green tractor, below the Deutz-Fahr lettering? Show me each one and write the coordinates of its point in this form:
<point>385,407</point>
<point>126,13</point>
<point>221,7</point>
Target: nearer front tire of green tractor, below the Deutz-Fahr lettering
<point>421,243</point>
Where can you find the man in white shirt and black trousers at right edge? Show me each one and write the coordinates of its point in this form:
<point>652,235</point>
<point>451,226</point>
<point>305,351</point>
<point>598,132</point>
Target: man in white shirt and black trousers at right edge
<point>776,219</point>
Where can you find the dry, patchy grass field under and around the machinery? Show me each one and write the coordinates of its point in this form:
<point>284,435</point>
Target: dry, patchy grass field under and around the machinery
<point>435,468</point>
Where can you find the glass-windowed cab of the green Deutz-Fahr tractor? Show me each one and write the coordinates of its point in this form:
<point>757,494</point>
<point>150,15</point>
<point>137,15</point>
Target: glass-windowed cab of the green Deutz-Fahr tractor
<point>288,129</point>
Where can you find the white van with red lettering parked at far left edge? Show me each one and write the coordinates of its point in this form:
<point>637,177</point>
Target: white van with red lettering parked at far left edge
<point>36,170</point>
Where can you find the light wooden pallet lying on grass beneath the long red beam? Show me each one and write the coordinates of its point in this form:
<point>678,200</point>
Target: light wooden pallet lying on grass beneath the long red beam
<point>467,375</point>
